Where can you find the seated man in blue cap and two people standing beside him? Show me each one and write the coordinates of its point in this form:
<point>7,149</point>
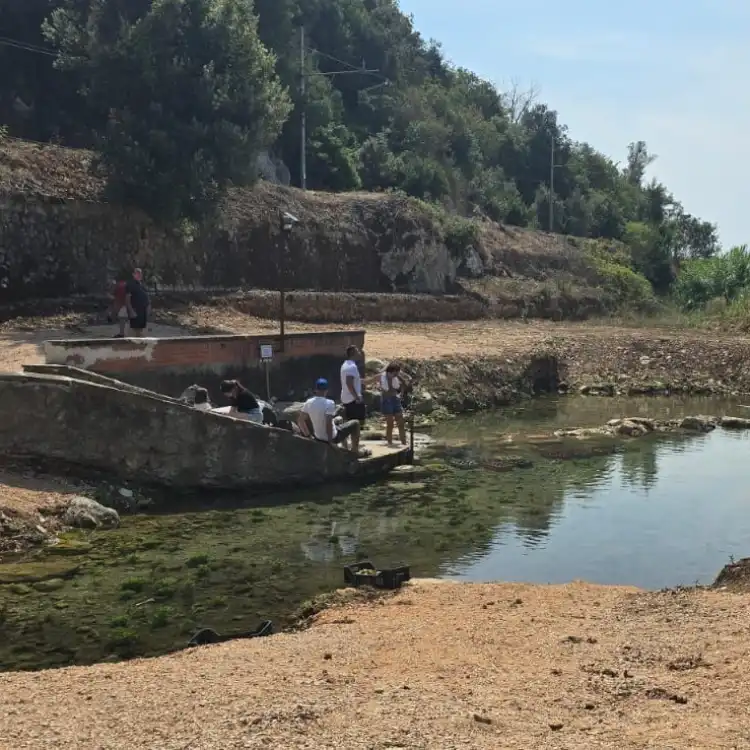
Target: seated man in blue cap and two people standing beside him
<point>319,416</point>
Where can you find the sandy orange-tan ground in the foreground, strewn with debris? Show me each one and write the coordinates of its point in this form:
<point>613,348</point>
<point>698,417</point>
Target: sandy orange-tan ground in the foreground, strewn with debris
<point>439,666</point>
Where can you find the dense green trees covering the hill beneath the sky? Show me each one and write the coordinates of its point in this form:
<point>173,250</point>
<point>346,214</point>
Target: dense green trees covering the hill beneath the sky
<point>177,97</point>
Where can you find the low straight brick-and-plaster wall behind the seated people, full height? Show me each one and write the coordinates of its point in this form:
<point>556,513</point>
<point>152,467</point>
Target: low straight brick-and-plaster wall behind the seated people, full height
<point>169,365</point>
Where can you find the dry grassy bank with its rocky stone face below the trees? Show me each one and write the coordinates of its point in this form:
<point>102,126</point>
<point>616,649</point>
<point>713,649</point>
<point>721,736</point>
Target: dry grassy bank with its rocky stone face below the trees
<point>366,242</point>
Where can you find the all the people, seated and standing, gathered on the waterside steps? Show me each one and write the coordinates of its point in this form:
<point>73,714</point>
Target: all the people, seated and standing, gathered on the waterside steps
<point>320,418</point>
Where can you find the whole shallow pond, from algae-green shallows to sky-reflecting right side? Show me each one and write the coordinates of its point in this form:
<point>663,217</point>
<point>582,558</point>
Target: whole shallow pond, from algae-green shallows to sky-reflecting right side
<point>662,512</point>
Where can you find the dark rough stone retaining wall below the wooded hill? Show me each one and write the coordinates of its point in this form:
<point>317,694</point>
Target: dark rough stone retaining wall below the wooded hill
<point>52,247</point>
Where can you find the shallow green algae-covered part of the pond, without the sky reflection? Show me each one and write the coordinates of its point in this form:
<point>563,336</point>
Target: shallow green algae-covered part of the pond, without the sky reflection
<point>143,589</point>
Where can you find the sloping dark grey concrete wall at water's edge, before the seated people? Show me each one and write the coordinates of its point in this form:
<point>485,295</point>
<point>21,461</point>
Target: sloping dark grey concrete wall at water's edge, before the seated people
<point>147,439</point>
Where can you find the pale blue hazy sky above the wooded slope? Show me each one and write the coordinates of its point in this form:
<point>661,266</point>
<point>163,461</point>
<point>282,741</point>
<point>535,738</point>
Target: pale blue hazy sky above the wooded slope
<point>673,73</point>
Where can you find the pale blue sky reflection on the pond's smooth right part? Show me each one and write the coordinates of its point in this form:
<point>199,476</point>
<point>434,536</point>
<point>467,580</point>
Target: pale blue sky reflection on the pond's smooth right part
<point>663,513</point>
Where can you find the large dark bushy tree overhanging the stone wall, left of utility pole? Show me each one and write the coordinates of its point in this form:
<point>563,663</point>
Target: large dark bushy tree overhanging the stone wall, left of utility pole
<point>189,91</point>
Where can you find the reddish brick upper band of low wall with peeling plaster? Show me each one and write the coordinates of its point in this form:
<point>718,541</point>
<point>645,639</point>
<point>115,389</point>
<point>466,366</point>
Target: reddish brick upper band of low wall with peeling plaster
<point>193,354</point>
